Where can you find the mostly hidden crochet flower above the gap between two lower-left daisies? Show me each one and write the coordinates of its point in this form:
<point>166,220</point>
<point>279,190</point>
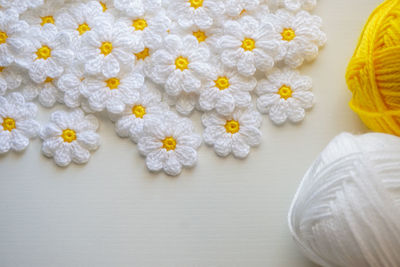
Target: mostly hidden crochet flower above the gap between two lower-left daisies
<point>47,92</point>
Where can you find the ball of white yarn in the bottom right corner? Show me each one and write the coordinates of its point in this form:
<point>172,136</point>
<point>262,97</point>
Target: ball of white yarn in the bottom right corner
<point>347,209</point>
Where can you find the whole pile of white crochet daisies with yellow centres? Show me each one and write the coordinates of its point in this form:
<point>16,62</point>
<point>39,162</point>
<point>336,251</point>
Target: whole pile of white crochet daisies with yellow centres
<point>148,64</point>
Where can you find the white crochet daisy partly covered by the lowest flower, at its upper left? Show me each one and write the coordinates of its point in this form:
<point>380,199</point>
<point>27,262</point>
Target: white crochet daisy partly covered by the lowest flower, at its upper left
<point>132,120</point>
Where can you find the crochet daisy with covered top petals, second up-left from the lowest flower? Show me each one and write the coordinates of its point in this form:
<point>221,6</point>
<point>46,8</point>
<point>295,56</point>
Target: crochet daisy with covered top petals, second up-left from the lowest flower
<point>115,92</point>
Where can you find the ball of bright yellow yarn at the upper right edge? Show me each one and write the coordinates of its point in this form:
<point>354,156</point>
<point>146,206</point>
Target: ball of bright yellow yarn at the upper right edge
<point>373,74</point>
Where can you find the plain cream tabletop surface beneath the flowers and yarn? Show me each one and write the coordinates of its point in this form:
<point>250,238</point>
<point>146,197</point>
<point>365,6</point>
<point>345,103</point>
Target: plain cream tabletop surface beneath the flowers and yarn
<point>225,212</point>
